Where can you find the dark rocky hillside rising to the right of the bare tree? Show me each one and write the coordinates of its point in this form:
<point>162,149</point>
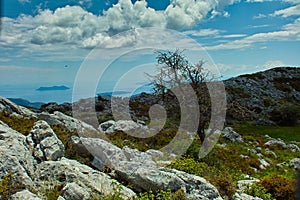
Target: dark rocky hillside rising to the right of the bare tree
<point>260,93</point>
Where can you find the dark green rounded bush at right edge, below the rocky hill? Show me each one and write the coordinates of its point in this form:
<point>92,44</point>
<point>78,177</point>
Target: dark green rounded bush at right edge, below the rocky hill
<point>287,115</point>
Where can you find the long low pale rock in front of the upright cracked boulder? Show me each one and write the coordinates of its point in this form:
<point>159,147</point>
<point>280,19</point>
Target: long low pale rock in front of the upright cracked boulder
<point>70,171</point>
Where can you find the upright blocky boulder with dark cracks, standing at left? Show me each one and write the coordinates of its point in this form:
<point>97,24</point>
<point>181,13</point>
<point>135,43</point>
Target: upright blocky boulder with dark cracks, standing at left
<point>44,142</point>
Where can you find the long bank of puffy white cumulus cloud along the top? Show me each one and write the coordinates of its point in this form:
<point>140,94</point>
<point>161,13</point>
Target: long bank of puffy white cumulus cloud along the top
<point>74,26</point>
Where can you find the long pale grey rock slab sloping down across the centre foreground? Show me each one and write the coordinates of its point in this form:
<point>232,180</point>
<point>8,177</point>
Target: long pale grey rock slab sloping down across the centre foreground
<point>139,170</point>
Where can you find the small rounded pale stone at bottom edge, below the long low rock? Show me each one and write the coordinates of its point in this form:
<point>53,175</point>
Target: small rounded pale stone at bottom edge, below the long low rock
<point>74,192</point>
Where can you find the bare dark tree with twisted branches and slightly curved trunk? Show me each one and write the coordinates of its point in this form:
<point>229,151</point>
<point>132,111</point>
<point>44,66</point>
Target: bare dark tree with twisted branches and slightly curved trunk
<point>175,71</point>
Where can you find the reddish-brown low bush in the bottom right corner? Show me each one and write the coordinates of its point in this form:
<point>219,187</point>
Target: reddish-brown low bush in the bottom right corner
<point>281,188</point>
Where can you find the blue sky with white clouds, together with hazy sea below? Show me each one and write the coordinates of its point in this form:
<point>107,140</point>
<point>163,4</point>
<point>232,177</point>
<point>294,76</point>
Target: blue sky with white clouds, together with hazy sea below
<point>44,43</point>
